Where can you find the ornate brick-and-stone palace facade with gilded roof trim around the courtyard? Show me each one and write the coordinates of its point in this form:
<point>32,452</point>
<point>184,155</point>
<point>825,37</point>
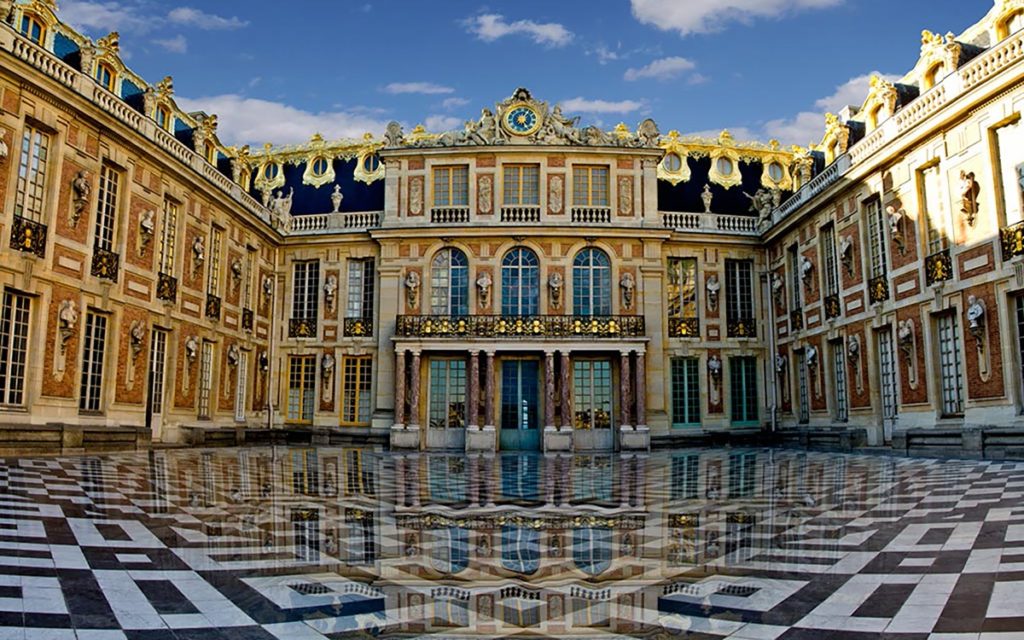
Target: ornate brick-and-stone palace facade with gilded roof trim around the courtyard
<point>525,284</point>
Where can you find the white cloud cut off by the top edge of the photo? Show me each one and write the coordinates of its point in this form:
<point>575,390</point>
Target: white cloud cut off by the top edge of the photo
<point>700,17</point>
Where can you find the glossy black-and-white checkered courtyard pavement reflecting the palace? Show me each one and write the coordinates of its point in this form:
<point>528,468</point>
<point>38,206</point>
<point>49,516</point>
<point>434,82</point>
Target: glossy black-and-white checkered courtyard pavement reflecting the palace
<point>338,543</point>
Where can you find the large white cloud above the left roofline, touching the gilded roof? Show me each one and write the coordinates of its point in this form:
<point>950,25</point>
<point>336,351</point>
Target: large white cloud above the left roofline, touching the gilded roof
<point>252,121</point>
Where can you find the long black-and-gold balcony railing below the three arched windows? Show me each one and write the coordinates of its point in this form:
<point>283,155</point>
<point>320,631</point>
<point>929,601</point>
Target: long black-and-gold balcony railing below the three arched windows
<point>521,327</point>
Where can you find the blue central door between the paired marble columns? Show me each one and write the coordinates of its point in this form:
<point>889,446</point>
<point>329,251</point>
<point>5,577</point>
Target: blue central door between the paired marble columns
<point>521,406</point>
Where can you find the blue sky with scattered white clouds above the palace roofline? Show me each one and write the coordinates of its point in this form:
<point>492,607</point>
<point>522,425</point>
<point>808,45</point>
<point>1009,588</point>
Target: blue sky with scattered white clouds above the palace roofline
<point>280,71</point>
